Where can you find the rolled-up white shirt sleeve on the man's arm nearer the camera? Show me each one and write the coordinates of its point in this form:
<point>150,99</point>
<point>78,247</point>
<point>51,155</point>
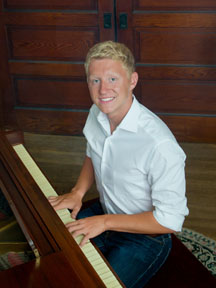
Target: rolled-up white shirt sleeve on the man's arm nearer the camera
<point>168,185</point>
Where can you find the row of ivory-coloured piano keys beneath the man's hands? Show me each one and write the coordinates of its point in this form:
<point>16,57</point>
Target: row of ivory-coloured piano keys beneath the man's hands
<point>88,249</point>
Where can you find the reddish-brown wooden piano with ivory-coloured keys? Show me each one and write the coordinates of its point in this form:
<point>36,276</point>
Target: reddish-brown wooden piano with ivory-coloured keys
<point>59,260</point>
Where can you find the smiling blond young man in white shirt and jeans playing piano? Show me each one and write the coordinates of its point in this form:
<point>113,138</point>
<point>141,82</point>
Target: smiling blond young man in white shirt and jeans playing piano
<point>138,167</point>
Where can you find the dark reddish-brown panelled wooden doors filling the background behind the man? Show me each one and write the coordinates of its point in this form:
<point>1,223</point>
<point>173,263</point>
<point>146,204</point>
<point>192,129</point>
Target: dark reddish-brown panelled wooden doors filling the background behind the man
<point>44,44</point>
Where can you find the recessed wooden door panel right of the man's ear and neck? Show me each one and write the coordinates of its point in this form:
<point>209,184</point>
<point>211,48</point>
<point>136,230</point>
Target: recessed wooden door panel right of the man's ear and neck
<point>179,96</point>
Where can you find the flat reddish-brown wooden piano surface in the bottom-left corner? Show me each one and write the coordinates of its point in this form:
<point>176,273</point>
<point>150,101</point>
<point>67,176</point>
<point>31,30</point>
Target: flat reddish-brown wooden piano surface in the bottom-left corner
<point>43,272</point>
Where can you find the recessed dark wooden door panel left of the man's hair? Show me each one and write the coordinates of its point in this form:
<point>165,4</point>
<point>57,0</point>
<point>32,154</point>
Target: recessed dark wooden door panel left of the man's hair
<point>42,43</point>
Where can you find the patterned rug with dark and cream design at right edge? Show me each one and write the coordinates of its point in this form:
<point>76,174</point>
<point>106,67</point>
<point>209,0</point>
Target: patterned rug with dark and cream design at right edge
<point>201,246</point>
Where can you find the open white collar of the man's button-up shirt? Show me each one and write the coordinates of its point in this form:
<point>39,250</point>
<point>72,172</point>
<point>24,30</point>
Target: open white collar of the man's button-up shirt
<point>129,122</point>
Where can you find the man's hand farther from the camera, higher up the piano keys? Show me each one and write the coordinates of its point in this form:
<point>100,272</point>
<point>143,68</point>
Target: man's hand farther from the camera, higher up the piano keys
<point>70,200</point>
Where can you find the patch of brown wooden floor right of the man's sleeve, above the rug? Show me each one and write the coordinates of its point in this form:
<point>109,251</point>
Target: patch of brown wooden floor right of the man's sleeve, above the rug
<point>201,187</point>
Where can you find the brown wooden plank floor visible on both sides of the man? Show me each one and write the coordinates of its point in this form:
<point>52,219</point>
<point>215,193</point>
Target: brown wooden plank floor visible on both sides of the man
<point>60,158</point>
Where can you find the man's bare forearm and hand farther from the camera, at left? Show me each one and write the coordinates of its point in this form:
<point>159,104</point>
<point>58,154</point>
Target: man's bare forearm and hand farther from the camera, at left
<point>73,200</point>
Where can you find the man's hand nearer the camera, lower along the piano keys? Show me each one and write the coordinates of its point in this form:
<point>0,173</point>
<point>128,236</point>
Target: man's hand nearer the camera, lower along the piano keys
<point>89,227</point>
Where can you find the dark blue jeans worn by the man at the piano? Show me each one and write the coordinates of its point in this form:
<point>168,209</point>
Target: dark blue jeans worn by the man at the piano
<point>134,257</point>
